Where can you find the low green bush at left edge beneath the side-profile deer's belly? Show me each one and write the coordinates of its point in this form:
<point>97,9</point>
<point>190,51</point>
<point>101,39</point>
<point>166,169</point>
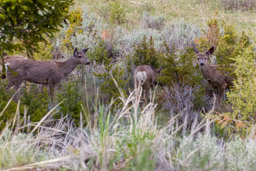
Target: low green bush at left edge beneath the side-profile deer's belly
<point>34,101</point>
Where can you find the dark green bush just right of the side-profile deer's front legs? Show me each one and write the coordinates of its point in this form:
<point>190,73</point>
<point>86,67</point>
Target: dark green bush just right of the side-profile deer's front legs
<point>71,105</point>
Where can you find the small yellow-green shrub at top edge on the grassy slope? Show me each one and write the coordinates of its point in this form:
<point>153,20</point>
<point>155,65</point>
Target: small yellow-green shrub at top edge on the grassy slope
<point>117,12</point>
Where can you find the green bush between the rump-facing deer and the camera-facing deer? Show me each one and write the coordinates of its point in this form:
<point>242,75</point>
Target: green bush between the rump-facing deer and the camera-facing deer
<point>179,69</point>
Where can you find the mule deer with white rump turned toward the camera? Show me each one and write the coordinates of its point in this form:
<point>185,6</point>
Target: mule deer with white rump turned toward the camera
<point>145,76</point>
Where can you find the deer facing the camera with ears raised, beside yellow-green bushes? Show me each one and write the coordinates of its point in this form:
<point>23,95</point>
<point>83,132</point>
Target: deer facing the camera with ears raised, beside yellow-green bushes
<point>215,78</point>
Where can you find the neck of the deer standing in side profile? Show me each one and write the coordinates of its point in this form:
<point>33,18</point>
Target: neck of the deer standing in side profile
<point>67,66</point>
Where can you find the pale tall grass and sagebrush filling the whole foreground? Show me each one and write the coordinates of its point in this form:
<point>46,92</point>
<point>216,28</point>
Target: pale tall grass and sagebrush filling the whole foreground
<point>127,138</point>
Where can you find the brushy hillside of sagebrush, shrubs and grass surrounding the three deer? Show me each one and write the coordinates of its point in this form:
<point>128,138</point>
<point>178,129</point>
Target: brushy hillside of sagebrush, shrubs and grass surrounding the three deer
<point>100,122</point>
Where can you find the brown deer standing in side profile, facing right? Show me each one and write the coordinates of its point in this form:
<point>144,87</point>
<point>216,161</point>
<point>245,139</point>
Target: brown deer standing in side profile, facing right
<point>43,72</point>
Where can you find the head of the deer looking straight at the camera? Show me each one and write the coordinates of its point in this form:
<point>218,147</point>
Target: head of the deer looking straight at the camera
<point>202,58</point>
